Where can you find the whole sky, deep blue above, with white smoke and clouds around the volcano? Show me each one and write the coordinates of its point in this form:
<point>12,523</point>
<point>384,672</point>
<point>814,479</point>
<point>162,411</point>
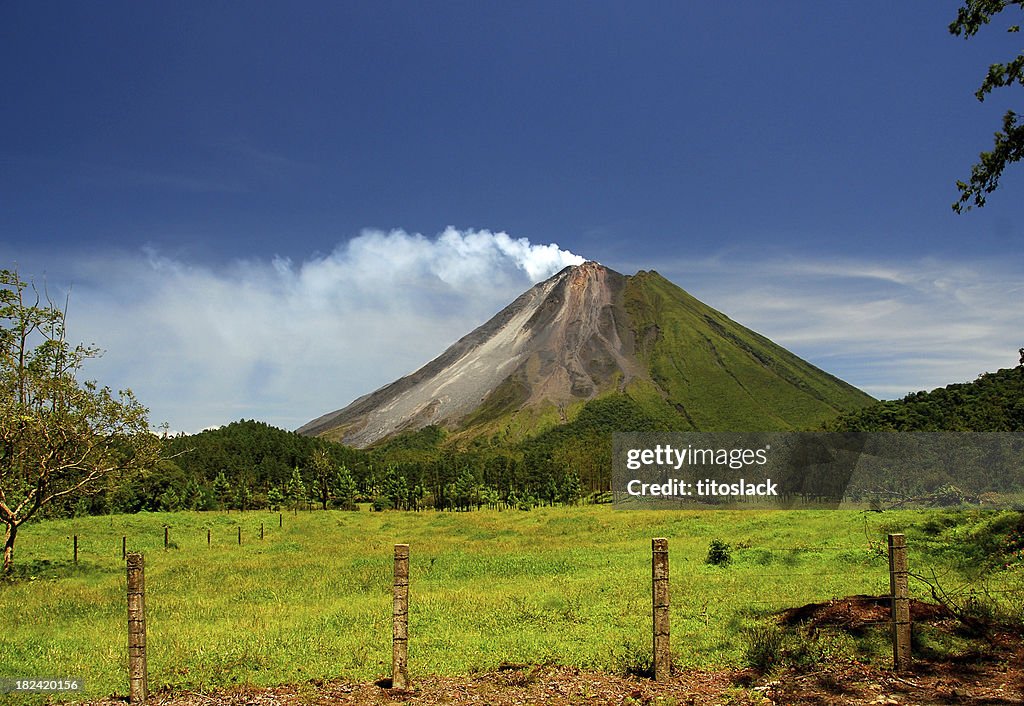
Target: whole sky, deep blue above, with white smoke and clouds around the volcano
<point>235,192</point>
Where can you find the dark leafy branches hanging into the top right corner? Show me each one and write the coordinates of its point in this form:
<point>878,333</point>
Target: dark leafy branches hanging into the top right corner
<point>1009,144</point>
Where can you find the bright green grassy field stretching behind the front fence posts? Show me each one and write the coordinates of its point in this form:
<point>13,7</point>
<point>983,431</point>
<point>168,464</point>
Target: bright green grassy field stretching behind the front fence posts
<point>313,599</point>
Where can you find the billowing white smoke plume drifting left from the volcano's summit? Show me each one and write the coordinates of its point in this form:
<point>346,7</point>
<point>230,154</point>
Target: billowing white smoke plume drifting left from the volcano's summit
<point>287,342</point>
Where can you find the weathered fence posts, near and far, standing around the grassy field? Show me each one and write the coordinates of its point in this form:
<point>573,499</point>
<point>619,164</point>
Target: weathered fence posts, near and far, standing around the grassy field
<point>900,612</point>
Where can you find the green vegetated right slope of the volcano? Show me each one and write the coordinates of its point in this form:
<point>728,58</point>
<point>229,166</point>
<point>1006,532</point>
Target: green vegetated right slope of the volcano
<point>704,372</point>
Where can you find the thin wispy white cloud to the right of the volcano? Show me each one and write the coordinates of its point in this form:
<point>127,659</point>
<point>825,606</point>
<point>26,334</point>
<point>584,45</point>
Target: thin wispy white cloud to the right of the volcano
<point>888,328</point>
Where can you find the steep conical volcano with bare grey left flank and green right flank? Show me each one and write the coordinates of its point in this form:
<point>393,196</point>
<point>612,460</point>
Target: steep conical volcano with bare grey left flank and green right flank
<point>590,333</point>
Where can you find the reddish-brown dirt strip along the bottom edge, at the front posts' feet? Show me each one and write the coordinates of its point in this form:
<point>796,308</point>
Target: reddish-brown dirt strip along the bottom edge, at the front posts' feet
<point>986,685</point>
